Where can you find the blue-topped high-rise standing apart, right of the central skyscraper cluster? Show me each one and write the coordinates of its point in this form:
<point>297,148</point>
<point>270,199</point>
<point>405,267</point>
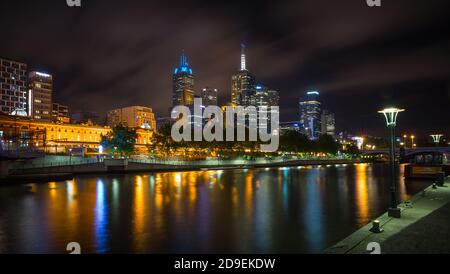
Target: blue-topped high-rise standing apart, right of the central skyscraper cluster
<point>310,114</point>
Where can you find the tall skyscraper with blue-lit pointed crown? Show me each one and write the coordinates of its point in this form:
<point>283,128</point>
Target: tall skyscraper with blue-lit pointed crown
<point>183,84</point>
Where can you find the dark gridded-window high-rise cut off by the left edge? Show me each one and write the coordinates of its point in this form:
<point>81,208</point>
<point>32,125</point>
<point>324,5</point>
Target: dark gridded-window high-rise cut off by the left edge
<point>13,87</point>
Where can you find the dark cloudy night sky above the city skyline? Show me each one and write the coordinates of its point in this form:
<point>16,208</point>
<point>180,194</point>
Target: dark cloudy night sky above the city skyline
<point>110,54</point>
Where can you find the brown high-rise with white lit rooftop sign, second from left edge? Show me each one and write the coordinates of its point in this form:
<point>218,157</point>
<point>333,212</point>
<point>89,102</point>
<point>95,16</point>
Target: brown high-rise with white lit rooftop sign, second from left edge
<point>40,92</point>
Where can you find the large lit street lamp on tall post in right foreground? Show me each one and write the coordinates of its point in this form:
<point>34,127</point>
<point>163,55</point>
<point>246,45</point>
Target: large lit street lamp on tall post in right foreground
<point>391,121</point>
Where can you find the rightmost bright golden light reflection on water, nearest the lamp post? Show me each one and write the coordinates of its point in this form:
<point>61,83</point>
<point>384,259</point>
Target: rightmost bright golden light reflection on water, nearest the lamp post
<point>362,193</point>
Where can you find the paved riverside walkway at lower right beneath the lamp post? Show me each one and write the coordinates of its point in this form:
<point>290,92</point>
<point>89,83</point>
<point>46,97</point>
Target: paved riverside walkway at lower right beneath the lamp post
<point>423,228</point>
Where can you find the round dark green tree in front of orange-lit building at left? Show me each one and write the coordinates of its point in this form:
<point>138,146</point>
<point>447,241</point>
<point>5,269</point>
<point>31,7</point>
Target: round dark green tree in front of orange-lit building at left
<point>120,140</point>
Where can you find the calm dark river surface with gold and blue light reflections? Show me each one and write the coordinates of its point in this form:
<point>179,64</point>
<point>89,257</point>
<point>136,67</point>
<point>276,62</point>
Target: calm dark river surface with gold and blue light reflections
<point>278,210</point>
